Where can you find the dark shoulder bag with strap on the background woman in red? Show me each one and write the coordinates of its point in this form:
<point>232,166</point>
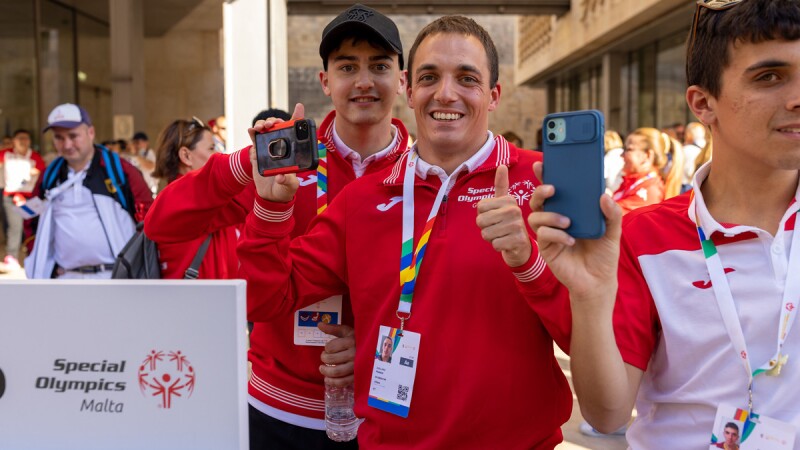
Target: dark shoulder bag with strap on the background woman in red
<point>138,260</point>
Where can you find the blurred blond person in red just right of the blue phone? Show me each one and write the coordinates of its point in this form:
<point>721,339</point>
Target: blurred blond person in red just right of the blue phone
<point>644,158</point>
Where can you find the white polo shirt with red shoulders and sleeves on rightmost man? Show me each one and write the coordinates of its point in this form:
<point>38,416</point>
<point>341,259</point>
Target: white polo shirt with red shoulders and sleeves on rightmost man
<point>668,323</point>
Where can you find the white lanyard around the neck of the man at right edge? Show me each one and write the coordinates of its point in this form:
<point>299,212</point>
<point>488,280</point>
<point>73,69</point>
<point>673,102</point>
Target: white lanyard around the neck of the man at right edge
<point>722,291</point>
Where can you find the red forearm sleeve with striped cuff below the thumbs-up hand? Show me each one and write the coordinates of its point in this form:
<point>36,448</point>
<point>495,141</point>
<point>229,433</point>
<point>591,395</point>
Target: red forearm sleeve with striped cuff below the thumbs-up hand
<point>546,296</point>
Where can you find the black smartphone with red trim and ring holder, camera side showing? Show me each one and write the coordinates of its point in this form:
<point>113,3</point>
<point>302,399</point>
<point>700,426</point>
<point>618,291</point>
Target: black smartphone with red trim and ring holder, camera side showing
<point>288,147</point>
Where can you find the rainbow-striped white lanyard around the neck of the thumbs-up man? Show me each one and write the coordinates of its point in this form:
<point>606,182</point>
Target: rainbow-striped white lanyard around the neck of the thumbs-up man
<point>410,260</point>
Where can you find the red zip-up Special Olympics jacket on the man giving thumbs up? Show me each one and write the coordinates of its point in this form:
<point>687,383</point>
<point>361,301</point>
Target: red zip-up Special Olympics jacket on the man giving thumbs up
<point>486,374</point>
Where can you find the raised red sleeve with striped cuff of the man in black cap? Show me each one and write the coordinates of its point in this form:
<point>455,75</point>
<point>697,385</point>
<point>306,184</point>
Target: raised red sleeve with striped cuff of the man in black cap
<point>203,201</point>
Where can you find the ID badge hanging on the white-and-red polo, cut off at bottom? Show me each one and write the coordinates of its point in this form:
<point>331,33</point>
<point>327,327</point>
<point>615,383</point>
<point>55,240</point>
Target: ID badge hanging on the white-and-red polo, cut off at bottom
<point>735,429</point>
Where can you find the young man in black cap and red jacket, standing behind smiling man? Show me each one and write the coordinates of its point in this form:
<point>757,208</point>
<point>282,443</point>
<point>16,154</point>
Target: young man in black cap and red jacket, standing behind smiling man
<point>362,61</point>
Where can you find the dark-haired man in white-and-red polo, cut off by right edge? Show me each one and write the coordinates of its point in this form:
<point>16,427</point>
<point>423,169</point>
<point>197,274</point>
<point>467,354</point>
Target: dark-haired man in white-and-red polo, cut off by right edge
<point>694,325</point>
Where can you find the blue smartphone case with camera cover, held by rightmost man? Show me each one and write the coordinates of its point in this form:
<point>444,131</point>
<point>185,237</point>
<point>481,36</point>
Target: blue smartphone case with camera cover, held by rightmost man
<point>575,167</point>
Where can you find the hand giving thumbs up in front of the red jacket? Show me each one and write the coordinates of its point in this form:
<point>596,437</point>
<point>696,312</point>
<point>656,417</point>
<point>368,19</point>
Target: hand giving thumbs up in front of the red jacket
<point>501,223</point>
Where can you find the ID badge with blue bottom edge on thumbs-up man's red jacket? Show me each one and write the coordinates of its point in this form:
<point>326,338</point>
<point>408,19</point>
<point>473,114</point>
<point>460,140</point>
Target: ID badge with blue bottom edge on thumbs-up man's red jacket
<point>394,370</point>
